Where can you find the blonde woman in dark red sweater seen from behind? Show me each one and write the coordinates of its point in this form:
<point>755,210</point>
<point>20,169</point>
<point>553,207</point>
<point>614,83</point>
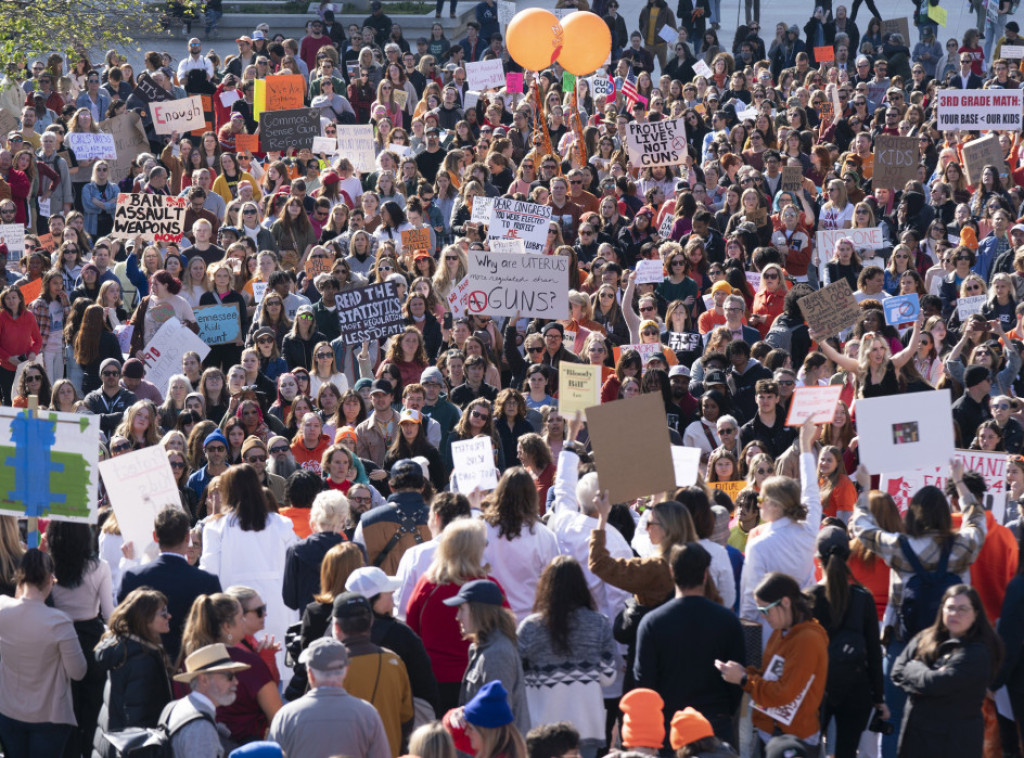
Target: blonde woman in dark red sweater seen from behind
<point>459,560</point>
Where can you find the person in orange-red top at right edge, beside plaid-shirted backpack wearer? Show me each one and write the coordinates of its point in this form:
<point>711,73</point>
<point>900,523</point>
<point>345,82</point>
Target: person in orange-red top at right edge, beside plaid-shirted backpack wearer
<point>997,564</point>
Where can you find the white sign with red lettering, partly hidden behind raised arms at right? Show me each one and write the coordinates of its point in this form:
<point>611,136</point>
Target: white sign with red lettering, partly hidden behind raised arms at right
<point>992,467</point>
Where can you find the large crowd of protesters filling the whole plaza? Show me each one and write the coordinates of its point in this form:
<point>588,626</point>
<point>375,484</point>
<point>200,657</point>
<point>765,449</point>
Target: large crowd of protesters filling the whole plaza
<point>323,588</point>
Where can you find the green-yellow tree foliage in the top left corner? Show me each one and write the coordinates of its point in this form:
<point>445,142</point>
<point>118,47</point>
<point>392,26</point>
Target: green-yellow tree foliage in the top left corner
<point>33,28</point>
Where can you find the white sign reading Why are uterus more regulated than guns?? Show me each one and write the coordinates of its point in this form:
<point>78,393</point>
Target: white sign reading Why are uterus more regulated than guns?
<point>506,284</point>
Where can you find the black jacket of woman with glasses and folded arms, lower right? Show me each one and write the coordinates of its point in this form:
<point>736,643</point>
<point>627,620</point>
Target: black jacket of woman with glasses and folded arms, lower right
<point>944,713</point>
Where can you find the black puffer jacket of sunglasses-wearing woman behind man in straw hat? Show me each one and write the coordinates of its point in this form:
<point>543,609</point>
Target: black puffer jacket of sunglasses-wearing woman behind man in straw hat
<point>138,685</point>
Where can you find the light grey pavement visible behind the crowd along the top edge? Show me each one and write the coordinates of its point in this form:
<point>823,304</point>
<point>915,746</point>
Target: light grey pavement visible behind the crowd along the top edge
<point>773,13</point>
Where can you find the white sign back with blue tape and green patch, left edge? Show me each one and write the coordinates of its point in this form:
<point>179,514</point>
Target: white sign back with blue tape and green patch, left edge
<point>50,466</point>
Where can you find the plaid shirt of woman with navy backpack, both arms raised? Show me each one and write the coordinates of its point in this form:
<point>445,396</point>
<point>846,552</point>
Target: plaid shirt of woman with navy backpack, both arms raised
<point>967,545</point>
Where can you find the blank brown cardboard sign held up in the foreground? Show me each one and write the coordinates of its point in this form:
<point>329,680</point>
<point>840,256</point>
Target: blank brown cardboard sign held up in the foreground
<point>632,448</point>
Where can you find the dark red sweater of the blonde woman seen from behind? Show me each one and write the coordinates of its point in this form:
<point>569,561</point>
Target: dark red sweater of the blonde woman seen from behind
<point>437,625</point>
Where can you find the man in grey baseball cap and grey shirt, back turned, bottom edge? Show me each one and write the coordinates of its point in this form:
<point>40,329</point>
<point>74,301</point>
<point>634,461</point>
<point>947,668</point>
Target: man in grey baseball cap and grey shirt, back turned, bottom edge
<point>328,721</point>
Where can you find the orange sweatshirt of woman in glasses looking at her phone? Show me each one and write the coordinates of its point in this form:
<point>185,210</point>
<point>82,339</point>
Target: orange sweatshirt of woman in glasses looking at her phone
<point>804,653</point>
